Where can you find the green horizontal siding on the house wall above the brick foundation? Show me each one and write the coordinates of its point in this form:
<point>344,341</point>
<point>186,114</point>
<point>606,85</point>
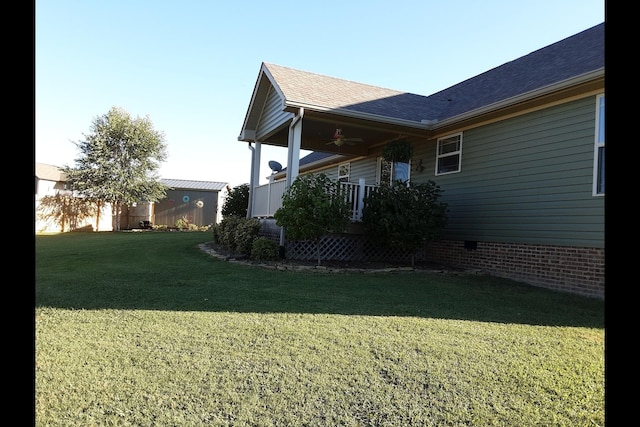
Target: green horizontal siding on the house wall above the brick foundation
<point>527,179</point>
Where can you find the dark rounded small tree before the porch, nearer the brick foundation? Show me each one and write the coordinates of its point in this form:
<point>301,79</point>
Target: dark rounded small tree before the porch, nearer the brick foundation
<point>405,216</point>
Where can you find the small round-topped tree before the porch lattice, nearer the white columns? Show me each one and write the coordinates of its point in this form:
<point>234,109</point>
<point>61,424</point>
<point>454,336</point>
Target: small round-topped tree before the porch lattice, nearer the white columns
<point>312,207</point>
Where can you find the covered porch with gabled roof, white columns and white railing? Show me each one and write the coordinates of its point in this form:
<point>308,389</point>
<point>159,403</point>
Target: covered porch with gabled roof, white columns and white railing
<point>305,111</point>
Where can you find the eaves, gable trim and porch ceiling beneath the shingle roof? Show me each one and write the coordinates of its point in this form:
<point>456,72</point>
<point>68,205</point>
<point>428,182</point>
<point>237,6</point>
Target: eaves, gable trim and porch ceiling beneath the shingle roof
<point>319,123</point>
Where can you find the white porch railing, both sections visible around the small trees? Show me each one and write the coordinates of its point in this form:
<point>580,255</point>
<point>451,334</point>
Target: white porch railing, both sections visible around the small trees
<point>267,198</point>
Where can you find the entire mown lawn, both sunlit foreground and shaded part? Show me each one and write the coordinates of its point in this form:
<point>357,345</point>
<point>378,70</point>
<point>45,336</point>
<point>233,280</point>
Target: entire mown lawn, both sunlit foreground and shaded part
<point>144,329</point>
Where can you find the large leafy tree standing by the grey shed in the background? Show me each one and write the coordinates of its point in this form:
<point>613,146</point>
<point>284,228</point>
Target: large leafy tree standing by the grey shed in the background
<point>118,162</point>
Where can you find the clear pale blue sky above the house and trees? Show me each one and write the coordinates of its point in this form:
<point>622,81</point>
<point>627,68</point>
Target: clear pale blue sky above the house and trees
<point>191,65</point>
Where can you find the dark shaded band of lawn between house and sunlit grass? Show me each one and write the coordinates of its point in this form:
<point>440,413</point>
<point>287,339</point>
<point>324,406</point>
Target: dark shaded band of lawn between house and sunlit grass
<point>190,280</point>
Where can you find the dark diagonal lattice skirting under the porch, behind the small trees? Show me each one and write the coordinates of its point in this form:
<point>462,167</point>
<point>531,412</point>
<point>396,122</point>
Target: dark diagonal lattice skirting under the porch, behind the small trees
<point>346,248</point>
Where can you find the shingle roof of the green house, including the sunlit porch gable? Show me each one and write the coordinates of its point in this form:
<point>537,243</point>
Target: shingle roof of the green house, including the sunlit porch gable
<point>574,56</point>
